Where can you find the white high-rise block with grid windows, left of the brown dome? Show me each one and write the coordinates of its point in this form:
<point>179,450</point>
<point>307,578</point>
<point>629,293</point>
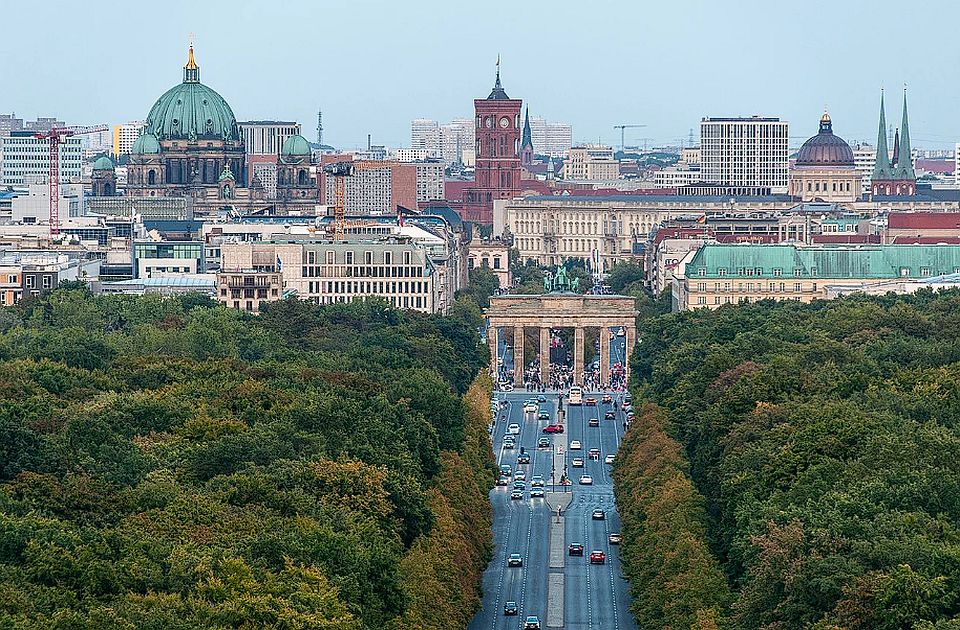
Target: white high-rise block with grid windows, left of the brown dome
<point>745,152</point>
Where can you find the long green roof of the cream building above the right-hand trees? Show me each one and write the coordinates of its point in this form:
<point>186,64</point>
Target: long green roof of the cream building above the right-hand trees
<point>788,261</point>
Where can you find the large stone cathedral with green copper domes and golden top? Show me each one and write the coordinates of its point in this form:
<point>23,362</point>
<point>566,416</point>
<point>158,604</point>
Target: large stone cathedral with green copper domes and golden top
<point>191,146</point>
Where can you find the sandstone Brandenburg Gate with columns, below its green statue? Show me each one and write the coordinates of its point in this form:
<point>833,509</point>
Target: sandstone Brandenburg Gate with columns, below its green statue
<point>561,310</point>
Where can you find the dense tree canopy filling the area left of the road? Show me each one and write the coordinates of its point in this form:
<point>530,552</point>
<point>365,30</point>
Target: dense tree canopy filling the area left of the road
<point>168,463</point>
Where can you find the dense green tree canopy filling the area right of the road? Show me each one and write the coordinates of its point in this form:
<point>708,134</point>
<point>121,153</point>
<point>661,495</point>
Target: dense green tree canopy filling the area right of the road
<point>825,444</point>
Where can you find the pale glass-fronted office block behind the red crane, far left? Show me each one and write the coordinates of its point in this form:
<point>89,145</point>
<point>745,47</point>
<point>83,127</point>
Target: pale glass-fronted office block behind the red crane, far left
<point>26,158</point>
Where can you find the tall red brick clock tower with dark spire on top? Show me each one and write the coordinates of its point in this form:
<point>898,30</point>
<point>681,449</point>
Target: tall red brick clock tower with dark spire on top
<point>497,173</point>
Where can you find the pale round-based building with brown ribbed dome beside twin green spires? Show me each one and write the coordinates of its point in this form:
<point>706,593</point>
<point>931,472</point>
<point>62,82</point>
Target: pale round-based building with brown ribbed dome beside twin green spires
<point>825,169</point>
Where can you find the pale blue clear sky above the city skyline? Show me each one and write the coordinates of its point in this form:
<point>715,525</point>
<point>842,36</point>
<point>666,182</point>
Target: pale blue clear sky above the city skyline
<point>374,65</point>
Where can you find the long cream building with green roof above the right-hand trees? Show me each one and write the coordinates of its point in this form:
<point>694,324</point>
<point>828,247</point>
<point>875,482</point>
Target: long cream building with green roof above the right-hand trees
<point>716,274</point>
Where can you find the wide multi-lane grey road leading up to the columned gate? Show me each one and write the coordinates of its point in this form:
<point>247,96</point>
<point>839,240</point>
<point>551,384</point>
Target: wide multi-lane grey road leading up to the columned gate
<point>594,596</point>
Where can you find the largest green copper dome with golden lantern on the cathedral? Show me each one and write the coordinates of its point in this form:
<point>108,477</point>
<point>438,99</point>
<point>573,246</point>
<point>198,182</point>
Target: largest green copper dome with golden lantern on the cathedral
<point>191,111</point>
